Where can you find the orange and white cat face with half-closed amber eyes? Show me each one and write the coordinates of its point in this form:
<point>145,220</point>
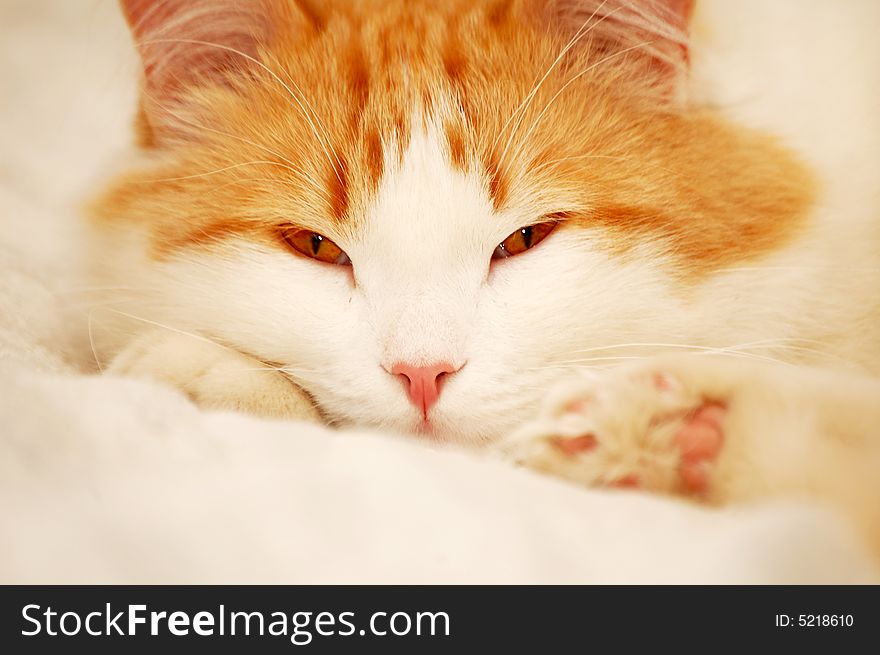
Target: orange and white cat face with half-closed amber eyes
<point>426,213</point>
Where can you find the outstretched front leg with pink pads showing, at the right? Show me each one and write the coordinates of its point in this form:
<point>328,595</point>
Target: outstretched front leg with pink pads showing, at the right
<point>714,429</point>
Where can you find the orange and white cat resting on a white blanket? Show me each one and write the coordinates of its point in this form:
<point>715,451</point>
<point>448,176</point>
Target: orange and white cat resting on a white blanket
<point>514,224</point>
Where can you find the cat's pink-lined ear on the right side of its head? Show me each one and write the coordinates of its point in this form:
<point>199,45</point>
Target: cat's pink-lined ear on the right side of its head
<point>654,33</point>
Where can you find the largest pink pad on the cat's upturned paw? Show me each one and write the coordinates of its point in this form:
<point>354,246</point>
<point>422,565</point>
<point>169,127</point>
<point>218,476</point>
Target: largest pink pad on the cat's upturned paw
<point>700,440</point>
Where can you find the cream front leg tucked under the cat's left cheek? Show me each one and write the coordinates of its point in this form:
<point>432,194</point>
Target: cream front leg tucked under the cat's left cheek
<point>213,376</point>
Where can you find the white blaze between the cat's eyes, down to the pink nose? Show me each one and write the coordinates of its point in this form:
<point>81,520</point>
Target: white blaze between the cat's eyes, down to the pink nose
<point>425,252</point>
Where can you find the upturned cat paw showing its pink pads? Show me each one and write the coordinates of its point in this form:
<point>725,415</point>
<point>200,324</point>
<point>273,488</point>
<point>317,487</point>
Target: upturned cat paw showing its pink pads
<point>643,427</point>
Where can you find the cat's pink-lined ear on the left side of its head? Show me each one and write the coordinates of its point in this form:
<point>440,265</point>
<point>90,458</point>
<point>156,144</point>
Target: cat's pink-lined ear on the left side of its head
<point>189,43</point>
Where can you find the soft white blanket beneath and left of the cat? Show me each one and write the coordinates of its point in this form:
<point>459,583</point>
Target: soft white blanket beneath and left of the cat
<point>113,480</point>
